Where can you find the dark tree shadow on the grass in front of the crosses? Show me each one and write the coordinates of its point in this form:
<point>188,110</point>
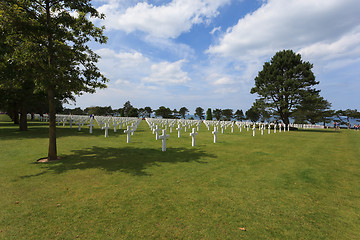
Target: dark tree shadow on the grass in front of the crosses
<point>129,160</point>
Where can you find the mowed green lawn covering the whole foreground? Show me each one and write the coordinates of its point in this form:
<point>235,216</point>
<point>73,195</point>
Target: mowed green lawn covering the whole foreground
<point>292,185</point>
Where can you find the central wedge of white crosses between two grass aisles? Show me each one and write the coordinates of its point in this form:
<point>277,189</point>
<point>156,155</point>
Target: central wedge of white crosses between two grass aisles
<point>181,124</point>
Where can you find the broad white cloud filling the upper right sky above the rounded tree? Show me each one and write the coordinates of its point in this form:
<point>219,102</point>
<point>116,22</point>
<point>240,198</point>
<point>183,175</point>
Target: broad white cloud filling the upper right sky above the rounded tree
<point>283,24</point>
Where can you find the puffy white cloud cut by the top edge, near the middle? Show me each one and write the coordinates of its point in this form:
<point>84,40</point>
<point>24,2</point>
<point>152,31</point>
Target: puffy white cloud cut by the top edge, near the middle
<point>164,21</point>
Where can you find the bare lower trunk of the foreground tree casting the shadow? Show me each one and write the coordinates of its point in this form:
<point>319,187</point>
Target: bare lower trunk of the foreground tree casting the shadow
<point>52,153</point>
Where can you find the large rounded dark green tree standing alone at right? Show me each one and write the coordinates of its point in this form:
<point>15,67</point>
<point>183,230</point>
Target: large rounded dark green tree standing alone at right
<point>284,82</point>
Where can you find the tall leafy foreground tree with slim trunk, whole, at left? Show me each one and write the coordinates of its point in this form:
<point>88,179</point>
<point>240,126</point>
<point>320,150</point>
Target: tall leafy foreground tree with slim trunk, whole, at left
<point>65,65</point>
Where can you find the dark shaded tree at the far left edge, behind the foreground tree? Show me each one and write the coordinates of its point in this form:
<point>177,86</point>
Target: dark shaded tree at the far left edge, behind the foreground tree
<point>16,67</point>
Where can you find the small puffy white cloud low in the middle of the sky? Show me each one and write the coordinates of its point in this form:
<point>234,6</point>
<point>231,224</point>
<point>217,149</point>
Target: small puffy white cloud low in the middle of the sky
<point>167,73</point>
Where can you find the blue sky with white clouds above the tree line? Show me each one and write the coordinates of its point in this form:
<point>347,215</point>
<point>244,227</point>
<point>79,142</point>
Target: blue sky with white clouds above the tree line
<point>207,53</point>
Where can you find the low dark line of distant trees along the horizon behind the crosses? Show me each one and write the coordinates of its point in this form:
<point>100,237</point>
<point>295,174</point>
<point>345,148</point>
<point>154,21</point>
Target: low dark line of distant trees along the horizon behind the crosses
<point>253,114</point>
